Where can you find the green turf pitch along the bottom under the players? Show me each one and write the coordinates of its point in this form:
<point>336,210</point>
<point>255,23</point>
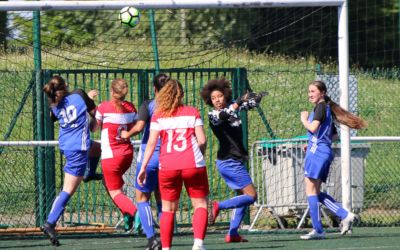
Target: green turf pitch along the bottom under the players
<point>362,238</point>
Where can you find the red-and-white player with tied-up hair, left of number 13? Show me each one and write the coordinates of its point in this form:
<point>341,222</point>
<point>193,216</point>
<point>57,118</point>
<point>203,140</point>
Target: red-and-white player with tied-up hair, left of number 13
<point>115,116</point>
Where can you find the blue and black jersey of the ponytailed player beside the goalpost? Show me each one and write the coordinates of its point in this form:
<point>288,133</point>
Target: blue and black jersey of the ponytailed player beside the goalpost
<point>321,140</point>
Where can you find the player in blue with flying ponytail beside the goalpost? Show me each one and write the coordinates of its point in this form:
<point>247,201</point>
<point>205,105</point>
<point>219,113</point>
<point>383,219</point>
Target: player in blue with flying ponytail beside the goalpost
<point>319,155</point>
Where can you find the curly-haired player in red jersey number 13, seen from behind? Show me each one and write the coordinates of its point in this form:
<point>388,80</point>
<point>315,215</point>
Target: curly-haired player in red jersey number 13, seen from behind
<point>183,144</point>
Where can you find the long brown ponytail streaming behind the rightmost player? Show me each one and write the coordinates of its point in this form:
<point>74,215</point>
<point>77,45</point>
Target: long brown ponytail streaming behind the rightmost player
<point>339,114</point>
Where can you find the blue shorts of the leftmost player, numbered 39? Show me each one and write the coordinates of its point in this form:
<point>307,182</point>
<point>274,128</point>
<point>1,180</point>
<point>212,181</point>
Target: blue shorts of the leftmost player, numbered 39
<point>76,162</point>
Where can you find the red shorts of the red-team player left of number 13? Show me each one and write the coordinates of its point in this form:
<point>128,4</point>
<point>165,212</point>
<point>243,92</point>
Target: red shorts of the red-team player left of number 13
<point>114,169</point>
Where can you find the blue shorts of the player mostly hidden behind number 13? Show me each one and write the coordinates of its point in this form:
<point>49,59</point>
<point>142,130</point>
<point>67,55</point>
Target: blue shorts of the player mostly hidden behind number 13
<point>151,182</point>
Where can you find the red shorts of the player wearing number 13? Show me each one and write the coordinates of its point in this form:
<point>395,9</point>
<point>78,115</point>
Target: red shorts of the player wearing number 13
<point>195,180</point>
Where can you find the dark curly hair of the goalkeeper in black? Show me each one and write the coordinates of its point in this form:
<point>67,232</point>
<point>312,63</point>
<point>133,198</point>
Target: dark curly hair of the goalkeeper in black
<point>222,85</point>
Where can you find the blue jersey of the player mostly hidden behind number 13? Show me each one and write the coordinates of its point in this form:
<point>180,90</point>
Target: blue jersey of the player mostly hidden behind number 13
<point>145,113</point>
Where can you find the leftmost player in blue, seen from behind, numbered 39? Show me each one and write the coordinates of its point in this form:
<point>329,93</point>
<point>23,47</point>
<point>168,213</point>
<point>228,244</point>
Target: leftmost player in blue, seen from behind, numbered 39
<point>70,109</point>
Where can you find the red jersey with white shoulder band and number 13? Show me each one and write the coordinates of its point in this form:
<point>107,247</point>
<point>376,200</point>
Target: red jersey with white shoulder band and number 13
<point>179,147</point>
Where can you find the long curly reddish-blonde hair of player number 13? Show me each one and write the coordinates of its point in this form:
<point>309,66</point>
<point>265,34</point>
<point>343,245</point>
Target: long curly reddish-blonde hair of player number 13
<point>169,99</point>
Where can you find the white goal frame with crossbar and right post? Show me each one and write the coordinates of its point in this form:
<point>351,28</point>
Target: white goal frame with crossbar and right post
<point>343,41</point>
